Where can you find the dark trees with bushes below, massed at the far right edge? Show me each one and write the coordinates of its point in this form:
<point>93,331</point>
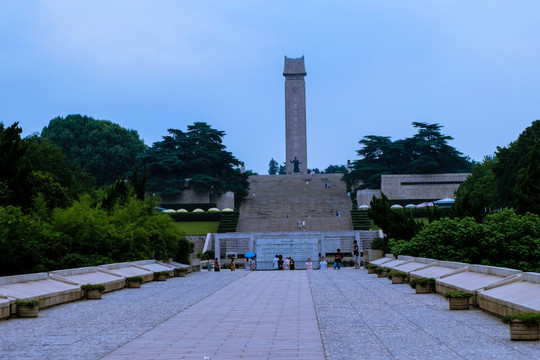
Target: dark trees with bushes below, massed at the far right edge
<point>480,231</point>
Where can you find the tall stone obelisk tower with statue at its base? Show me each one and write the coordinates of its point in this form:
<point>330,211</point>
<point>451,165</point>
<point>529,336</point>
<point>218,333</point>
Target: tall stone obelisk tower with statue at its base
<point>295,116</point>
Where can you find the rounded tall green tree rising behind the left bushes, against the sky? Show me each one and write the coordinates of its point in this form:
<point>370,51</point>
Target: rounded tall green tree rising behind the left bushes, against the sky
<point>101,148</point>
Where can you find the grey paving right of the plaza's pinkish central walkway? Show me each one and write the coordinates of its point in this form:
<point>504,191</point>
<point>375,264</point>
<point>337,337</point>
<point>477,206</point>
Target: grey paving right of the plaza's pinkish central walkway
<point>365,317</point>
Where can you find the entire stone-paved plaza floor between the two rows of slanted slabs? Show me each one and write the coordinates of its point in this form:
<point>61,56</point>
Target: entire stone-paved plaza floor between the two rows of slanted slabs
<point>345,314</point>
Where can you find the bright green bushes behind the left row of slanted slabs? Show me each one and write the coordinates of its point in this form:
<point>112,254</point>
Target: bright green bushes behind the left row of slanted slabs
<point>85,234</point>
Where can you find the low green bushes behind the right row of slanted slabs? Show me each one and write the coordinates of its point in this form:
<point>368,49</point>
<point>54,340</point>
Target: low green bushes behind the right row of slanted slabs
<point>503,239</point>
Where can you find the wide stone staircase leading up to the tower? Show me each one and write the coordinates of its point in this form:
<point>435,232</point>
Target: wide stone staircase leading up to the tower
<point>277,202</point>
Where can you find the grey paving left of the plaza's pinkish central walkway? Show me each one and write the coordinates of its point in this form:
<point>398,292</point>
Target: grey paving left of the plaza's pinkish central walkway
<point>90,329</point>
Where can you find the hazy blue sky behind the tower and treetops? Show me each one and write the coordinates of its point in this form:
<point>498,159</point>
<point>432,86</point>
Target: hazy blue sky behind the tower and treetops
<point>373,67</point>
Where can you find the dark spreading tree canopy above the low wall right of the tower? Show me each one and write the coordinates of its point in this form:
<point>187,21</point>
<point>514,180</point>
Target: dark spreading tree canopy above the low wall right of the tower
<point>427,152</point>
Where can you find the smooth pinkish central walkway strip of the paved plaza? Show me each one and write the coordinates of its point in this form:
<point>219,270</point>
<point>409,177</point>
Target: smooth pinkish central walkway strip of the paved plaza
<point>266,315</point>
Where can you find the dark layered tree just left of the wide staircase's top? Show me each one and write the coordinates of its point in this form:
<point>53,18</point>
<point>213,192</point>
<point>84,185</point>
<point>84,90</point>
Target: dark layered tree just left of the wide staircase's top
<point>196,158</point>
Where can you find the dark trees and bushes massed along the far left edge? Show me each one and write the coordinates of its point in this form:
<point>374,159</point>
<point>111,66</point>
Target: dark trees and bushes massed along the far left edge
<point>52,217</point>
